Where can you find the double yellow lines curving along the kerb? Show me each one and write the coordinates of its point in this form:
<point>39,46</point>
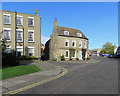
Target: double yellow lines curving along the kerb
<point>39,83</point>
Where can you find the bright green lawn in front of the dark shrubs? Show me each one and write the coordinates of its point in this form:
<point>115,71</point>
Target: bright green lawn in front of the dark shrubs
<point>10,72</point>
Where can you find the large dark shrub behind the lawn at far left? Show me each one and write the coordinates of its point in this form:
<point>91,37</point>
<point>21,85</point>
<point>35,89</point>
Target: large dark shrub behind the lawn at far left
<point>9,59</point>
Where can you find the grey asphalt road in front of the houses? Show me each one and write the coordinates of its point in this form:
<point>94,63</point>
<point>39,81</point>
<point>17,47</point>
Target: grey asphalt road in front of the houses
<point>94,78</point>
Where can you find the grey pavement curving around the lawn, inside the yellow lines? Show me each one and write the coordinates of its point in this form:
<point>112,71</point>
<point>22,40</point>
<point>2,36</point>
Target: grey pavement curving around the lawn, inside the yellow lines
<point>47,71</point>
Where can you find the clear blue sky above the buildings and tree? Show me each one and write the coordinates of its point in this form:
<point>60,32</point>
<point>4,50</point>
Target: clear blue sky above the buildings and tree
<point>97,20</point>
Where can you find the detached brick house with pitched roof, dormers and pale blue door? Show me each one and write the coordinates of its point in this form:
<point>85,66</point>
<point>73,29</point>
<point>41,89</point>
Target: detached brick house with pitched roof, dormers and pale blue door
<point>70,42</point>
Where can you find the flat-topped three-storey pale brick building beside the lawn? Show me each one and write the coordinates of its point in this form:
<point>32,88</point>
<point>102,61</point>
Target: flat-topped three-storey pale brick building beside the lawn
<point>22,32</point>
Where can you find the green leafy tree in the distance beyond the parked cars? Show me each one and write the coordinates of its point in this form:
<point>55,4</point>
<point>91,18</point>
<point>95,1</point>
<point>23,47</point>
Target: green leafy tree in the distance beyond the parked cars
<point>108,48</point>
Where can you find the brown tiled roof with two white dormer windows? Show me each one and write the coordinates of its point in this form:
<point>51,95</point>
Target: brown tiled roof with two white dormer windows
<point>72,32</point>
